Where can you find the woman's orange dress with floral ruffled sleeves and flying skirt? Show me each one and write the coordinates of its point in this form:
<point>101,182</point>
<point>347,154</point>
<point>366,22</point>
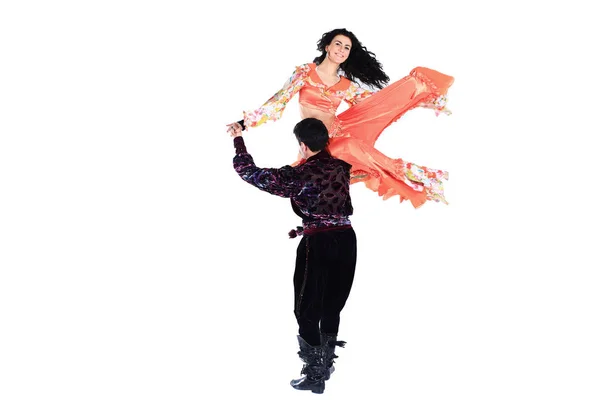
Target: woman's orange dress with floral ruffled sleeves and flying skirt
<point>353,132</point>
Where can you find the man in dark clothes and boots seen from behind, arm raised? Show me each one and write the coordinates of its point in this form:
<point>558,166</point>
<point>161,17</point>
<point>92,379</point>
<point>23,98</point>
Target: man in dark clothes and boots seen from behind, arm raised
<point>319,189</point>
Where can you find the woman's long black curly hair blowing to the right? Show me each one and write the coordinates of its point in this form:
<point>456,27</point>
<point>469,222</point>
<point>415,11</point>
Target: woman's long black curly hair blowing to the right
<point>361,63</point>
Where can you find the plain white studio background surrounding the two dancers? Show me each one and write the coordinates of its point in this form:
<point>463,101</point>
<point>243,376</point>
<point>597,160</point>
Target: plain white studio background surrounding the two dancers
<point>135,263</point>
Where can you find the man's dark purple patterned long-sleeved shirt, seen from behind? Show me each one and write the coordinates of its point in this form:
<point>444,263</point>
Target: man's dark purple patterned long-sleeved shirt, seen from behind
<point>319,188</point>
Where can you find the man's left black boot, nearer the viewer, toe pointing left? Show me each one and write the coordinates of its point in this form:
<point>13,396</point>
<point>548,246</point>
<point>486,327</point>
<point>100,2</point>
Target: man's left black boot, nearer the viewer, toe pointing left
<point>314,369</point>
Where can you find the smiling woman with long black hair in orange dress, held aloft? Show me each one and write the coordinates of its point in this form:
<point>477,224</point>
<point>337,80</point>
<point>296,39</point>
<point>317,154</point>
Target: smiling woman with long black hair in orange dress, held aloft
<point>332,78</point>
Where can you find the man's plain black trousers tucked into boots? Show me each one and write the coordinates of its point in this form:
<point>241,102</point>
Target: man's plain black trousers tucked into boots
<point>325,265</point>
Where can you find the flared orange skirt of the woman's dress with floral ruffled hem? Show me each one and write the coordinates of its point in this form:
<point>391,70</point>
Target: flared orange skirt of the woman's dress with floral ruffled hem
<point>353,136</point>
